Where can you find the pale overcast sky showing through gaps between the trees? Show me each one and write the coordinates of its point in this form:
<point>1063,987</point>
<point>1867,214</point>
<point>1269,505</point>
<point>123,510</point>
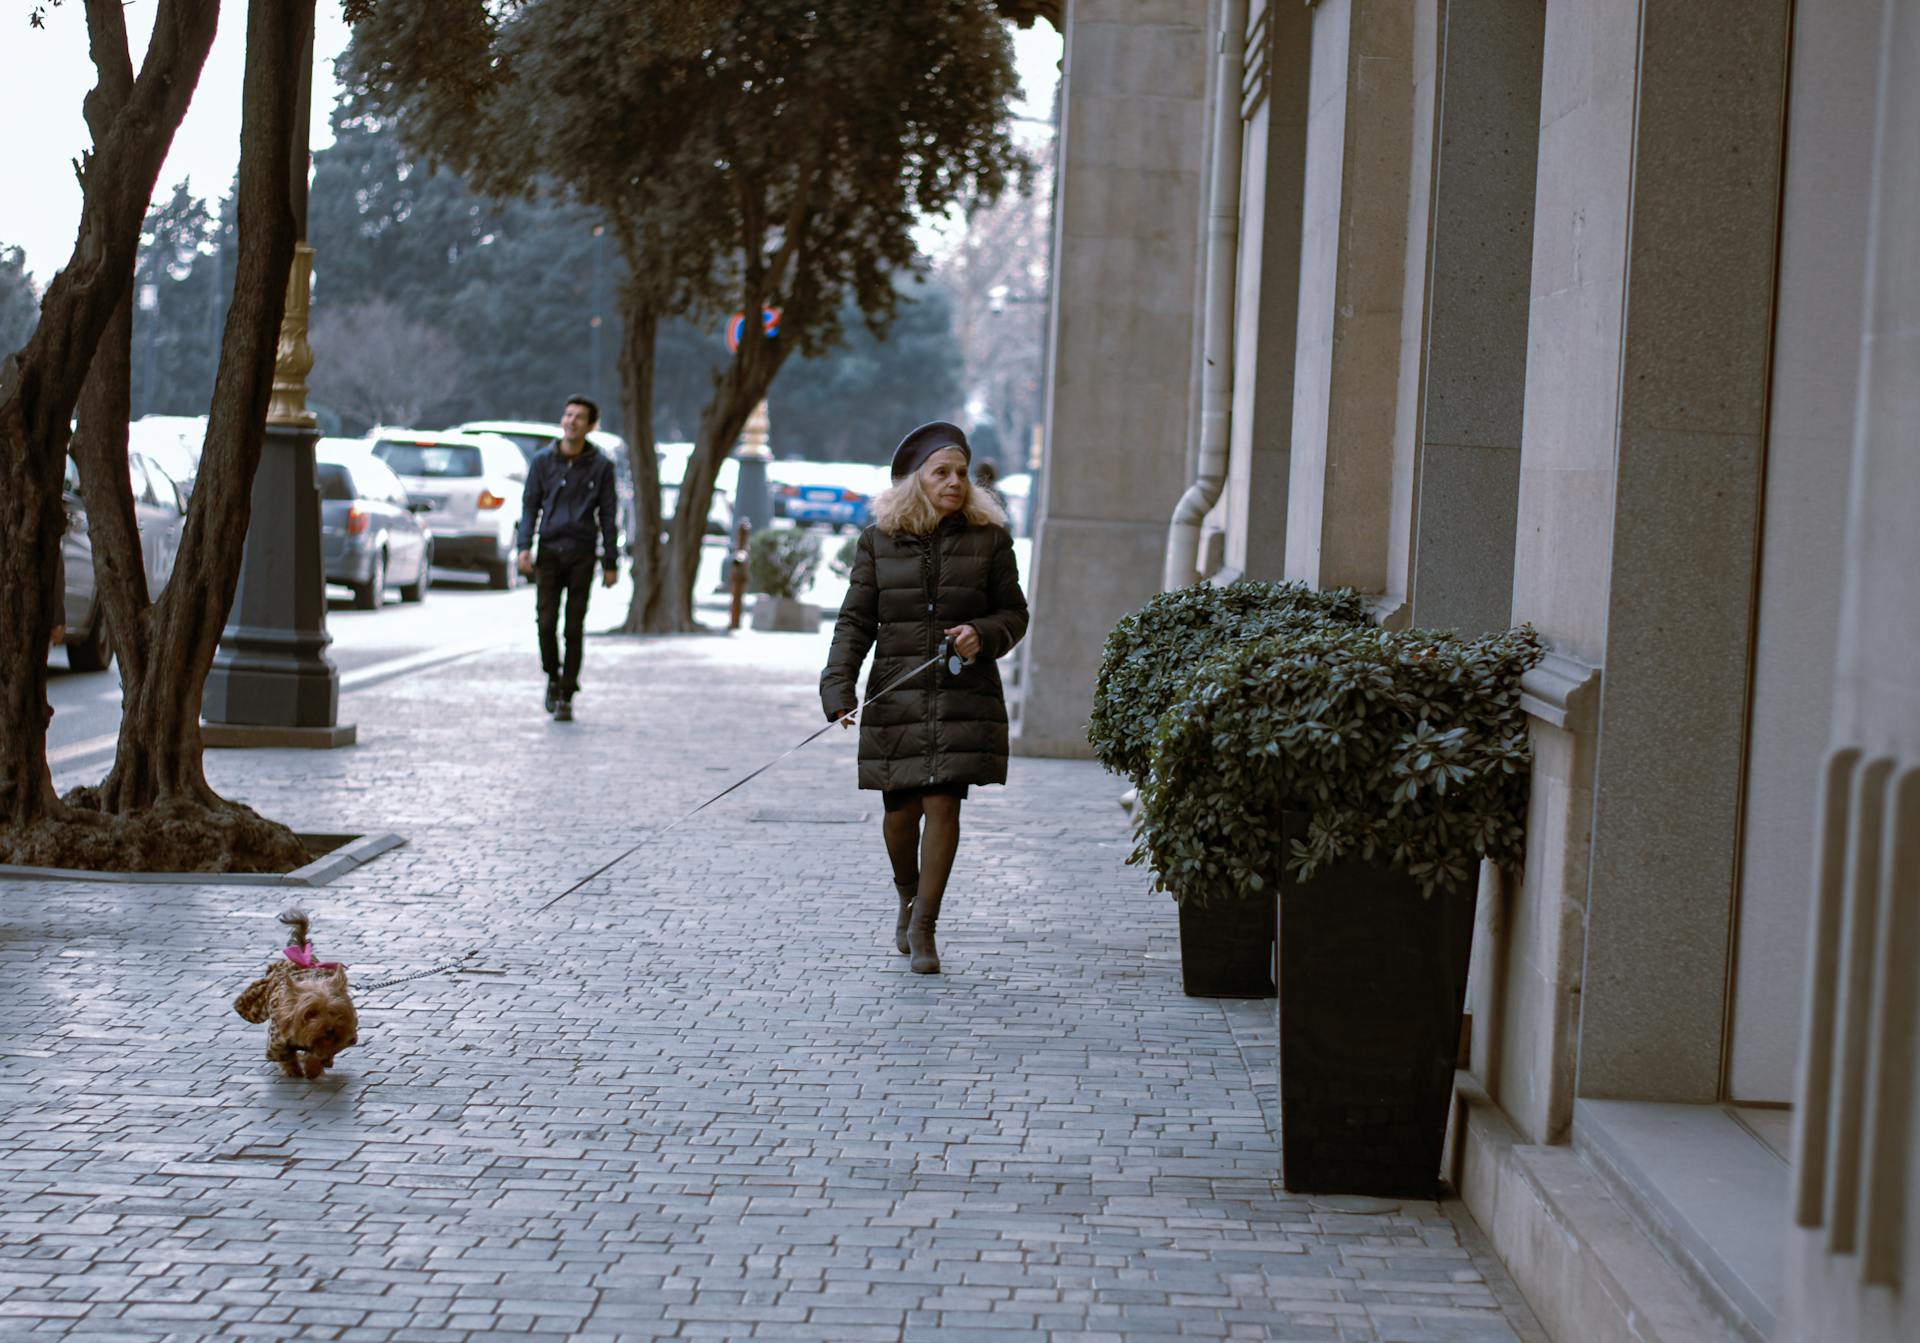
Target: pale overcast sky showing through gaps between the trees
<point>45,74</point>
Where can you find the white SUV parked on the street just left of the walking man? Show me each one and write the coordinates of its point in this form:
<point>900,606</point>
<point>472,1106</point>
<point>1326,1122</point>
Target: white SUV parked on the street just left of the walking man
<point>471,487</point>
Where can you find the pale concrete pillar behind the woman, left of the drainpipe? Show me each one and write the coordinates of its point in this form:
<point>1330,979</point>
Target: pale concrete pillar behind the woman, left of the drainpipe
<point>1126,239</point>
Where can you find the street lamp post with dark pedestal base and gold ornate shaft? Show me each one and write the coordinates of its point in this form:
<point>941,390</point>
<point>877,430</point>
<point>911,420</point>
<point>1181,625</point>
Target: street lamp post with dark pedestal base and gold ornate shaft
<point>272,681</point>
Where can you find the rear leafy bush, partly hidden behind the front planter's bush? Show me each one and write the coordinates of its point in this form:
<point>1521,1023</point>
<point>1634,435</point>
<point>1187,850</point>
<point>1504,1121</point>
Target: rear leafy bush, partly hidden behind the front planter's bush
<point>1153,652</point>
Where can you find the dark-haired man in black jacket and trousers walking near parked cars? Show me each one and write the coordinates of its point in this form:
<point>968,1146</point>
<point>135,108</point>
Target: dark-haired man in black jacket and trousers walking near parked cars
<point>569,497</point>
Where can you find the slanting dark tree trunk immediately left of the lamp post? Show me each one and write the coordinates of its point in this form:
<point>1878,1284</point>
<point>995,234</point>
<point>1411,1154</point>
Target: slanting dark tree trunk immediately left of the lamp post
<point>160,752</point>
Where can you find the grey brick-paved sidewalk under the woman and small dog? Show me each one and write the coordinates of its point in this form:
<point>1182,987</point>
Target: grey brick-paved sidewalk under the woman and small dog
<point>702,1098</point>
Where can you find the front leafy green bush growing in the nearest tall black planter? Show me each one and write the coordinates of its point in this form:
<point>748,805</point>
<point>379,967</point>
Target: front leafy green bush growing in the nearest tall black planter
<point>1406,748</point>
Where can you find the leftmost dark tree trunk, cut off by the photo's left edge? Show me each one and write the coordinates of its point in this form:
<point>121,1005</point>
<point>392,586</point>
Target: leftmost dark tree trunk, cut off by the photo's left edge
<point>41,383</point>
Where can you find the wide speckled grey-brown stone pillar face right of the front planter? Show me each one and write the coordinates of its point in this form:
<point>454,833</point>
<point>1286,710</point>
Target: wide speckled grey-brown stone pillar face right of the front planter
<point>1692,422</point>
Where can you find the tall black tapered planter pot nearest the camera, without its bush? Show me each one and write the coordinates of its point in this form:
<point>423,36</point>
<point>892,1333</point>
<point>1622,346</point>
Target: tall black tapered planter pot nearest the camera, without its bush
<point>1374,979</point>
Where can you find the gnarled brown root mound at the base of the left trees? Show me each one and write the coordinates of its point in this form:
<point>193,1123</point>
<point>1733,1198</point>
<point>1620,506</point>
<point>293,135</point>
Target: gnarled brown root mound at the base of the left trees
<point>172,837</point>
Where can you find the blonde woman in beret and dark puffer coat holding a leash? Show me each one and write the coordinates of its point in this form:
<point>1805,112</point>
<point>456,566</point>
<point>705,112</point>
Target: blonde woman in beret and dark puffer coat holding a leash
<point>938,564</point>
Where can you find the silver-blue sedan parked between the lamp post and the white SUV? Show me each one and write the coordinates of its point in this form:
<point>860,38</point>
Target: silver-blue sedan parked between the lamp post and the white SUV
<point>372,529</point>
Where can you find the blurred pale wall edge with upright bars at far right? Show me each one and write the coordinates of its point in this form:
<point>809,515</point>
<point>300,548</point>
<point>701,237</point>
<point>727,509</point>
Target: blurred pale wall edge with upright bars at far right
<point>1856,1258</point>
